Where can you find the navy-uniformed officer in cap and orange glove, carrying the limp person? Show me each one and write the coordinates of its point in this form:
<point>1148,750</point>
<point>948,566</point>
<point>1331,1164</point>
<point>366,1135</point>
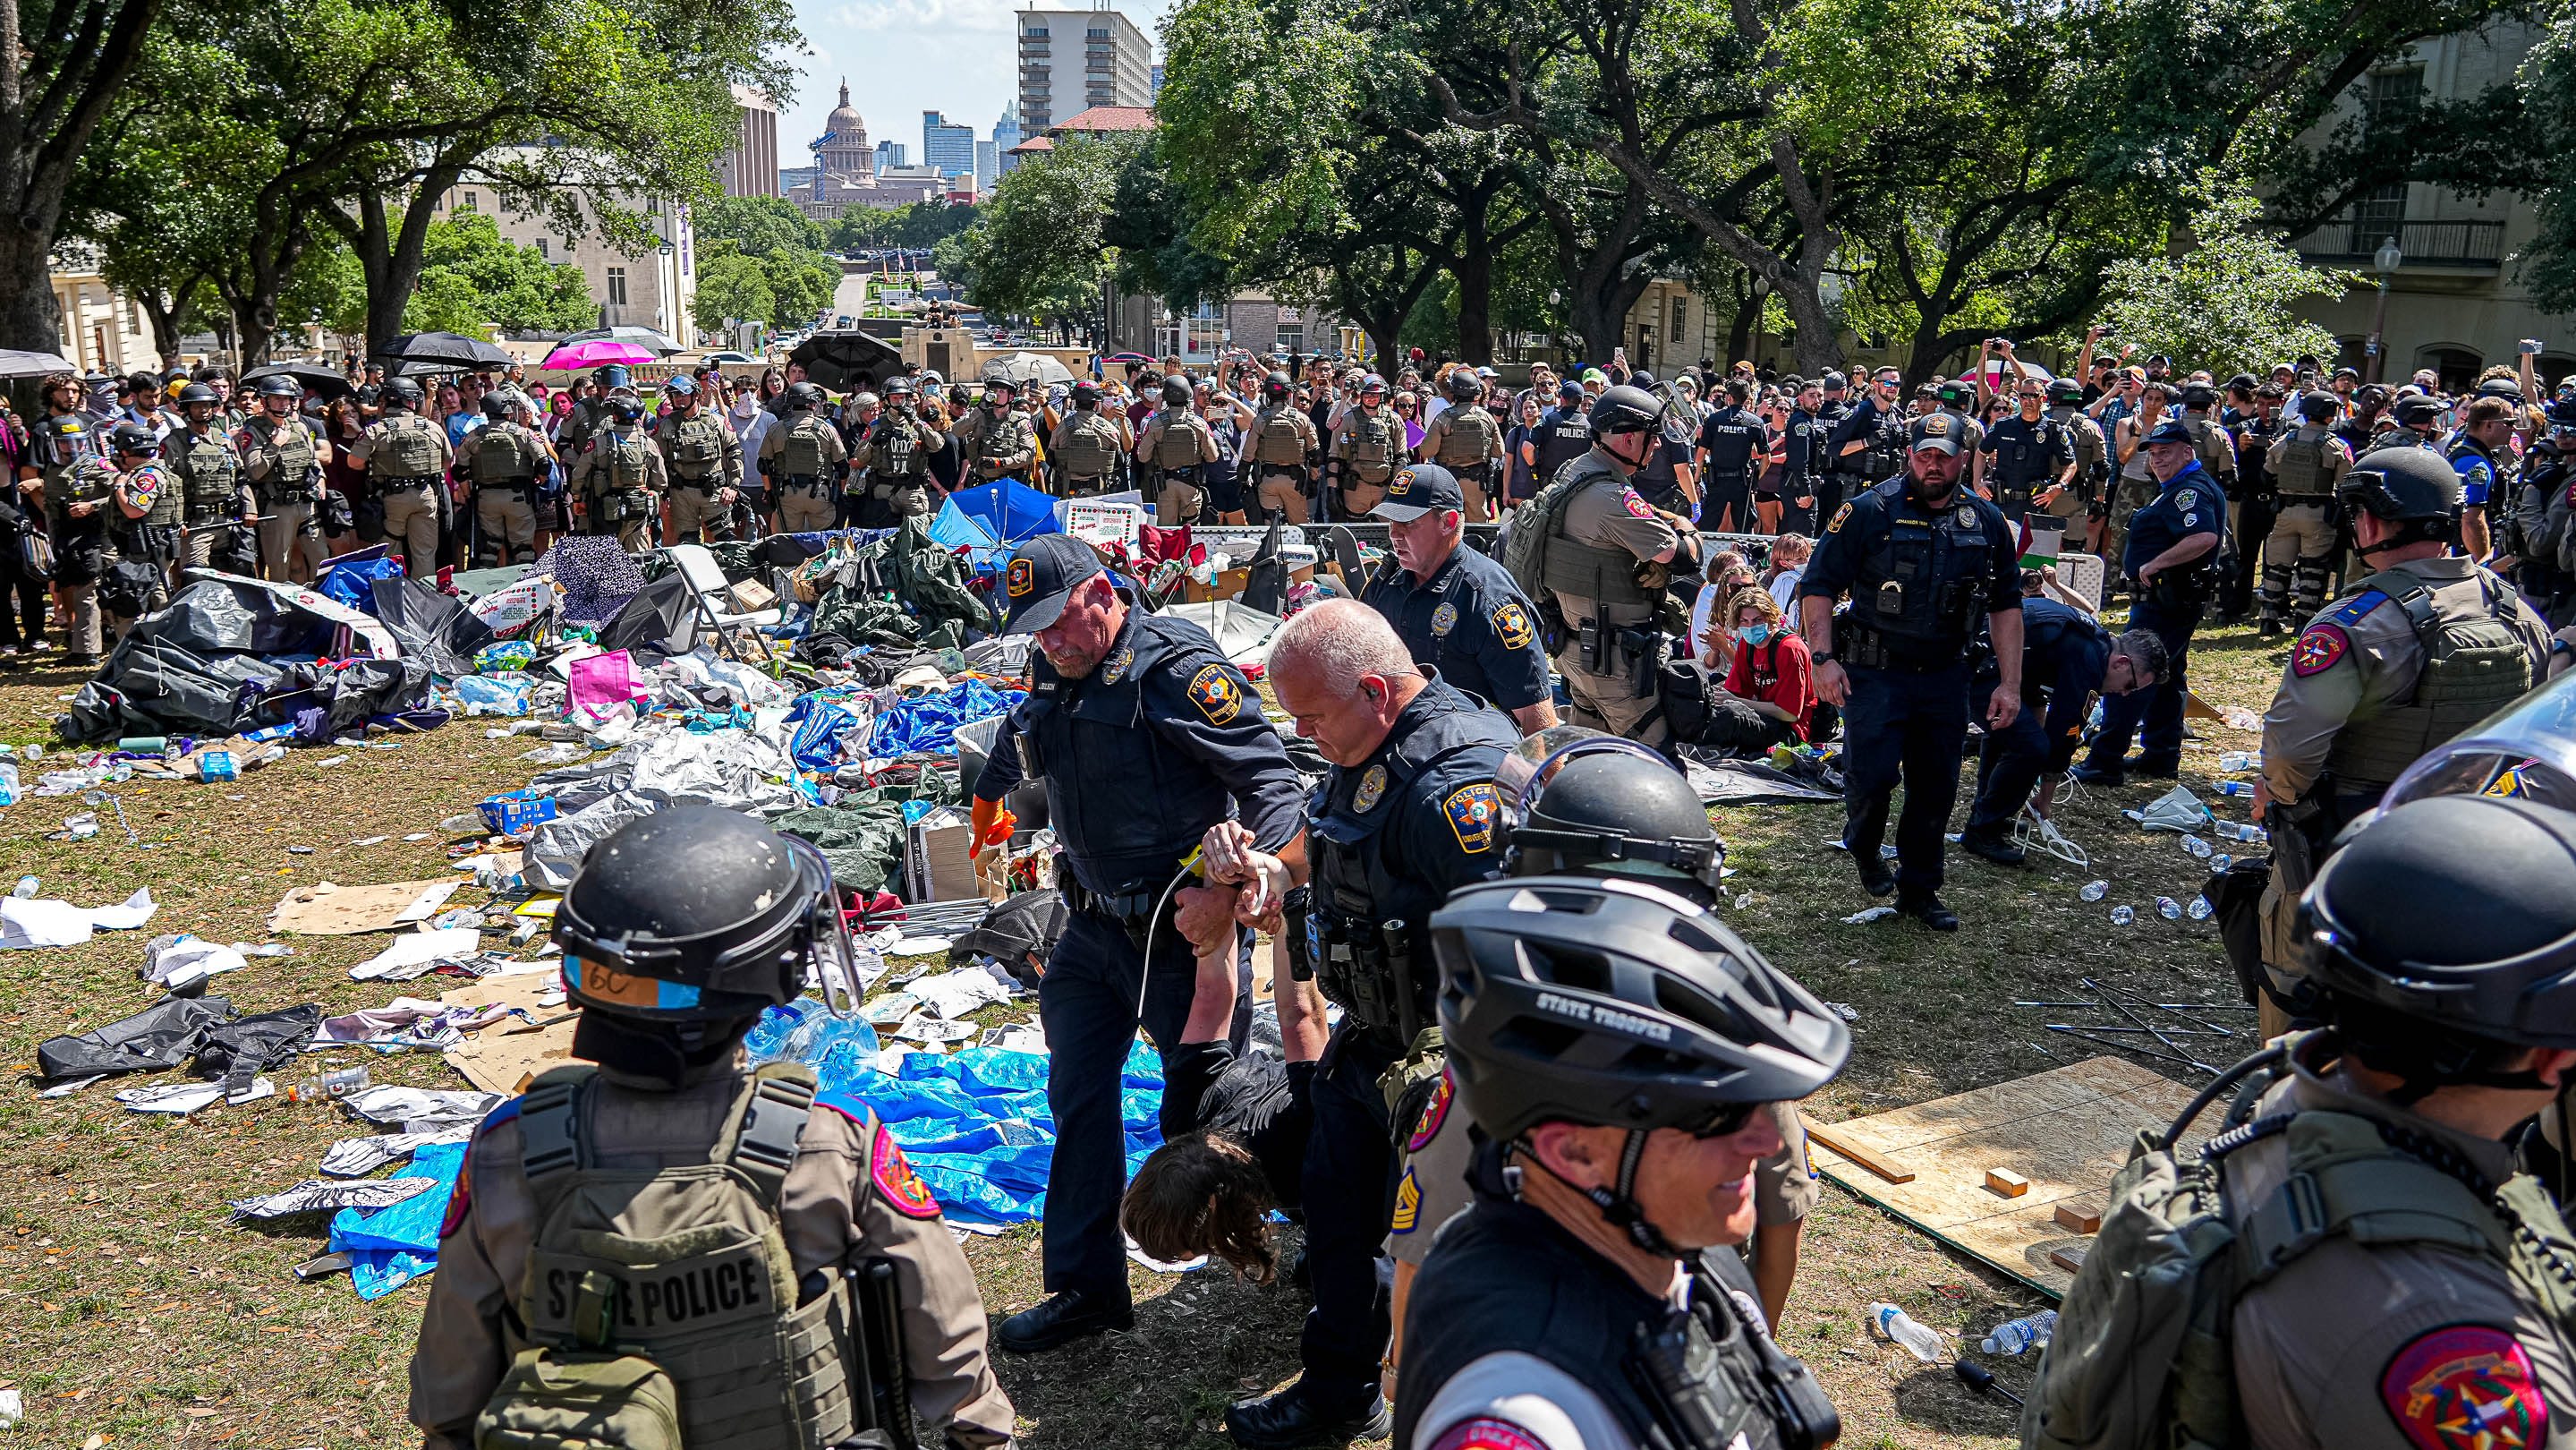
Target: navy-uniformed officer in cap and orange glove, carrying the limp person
<point>1145,738</point>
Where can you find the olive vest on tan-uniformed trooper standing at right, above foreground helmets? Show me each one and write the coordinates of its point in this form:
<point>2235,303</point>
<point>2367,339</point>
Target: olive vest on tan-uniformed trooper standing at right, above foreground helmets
<point>2474,666</point>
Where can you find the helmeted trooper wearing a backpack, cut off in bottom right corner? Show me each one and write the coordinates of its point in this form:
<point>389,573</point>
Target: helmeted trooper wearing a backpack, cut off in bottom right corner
<point>2353,1261</point>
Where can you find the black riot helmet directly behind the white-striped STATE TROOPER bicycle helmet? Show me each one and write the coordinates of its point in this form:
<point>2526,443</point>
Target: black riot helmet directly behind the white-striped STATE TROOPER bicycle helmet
<point>1588,802</point>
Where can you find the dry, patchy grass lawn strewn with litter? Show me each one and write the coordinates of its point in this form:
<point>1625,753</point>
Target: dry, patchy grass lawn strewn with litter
<point>135,1312</point>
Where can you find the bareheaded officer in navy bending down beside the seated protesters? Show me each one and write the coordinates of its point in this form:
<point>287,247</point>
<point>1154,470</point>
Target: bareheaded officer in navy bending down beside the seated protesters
<point>2067,655</point>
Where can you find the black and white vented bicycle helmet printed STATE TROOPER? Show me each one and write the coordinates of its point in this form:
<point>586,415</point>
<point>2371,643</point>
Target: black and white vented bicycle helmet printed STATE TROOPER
<point>1619,1006</point>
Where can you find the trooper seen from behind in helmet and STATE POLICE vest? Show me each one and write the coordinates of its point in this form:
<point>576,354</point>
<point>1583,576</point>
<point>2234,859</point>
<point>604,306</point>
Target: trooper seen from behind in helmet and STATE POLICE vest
<point>676,1214</point>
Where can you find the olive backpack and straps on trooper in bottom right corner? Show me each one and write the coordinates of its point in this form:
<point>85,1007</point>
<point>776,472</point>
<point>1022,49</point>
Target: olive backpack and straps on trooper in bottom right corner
<point>2145,1359</point>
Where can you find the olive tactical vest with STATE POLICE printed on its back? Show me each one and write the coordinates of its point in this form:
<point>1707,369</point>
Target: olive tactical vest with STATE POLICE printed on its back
<point>661,1307</point>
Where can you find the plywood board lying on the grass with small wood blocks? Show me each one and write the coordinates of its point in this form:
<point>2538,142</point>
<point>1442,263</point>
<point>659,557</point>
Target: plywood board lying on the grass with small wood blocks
<point>2067,1132</point>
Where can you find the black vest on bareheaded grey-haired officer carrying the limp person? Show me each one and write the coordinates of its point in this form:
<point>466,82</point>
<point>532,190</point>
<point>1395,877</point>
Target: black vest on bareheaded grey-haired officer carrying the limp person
<point>1367,926</point>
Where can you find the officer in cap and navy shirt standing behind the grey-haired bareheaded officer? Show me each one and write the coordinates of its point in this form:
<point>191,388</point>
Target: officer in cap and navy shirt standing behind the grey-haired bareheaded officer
<point>1457,609</point>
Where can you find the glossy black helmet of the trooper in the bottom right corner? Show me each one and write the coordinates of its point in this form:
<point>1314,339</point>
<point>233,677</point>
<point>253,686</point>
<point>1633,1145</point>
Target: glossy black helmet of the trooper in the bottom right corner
<point>2456,913</point>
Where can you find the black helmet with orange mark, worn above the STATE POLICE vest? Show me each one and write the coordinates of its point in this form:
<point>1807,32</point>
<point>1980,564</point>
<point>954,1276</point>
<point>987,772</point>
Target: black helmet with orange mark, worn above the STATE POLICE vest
<point>699,916</point>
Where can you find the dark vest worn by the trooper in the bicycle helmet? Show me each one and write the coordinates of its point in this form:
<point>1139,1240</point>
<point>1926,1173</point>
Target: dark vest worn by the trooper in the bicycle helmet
<point>1508,1279</point>
